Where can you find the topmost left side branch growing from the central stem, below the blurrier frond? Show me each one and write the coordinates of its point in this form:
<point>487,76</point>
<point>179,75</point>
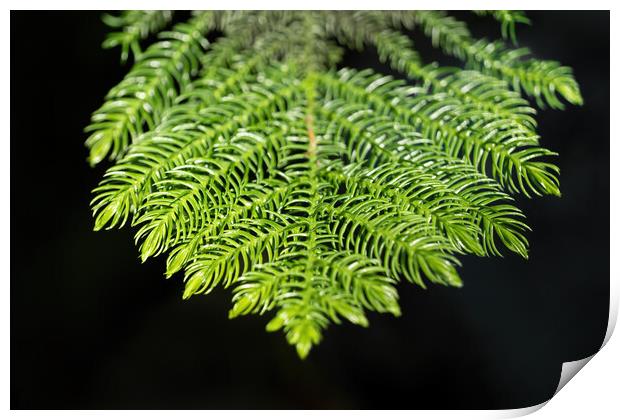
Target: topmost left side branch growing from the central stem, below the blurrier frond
<point>126,184</point>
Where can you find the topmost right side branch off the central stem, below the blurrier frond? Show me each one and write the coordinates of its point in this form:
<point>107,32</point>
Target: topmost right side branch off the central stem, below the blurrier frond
<point>510,150</point>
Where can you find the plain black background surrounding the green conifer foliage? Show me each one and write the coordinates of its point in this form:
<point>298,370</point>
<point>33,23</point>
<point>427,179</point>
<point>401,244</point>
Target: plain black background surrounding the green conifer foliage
<point>91,327</point>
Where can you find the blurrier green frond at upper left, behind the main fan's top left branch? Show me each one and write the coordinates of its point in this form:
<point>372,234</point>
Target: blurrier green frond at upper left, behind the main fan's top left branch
<point>137,102</point>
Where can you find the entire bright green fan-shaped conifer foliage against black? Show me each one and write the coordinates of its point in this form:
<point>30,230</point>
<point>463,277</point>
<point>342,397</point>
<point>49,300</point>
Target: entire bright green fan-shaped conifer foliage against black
<point>256,165</point>
